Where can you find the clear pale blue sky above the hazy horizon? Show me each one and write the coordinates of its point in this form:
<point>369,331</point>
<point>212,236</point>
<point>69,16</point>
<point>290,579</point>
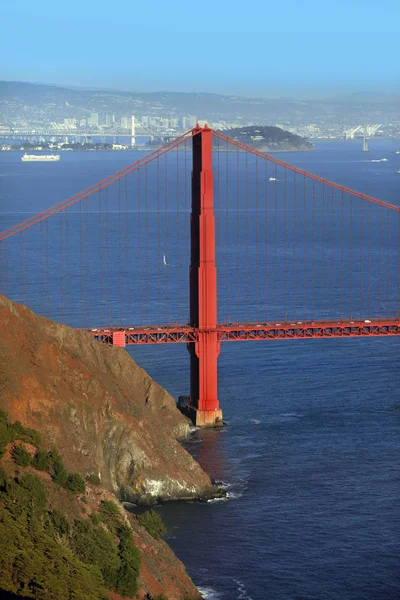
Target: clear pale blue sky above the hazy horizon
<point>253,47</point>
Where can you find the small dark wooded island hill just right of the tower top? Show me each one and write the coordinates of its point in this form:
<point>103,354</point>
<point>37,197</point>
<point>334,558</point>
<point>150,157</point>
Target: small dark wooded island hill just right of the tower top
<point>269,139</point>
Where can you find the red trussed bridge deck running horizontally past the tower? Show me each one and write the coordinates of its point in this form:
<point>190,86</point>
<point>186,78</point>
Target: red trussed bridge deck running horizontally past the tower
<point>242,332</point>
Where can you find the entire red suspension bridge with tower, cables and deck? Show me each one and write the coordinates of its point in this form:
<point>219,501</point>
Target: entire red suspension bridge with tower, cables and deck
<point>207,240</point>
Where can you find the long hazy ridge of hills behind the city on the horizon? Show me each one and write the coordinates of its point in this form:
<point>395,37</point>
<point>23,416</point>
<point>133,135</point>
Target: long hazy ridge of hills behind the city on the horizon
<point>18,98</point>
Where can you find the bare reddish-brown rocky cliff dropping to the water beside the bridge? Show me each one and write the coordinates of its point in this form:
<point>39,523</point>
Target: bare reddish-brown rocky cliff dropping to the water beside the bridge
<point>102,411</point>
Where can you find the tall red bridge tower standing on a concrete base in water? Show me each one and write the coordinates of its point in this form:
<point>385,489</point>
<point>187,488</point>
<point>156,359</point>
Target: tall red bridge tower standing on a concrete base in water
<point>204,407</point>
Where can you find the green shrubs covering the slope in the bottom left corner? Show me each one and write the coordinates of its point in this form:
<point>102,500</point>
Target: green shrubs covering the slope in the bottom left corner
<point>46,556</point>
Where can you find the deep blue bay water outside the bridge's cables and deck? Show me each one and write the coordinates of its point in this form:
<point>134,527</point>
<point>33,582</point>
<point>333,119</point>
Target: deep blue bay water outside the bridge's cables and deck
<point>310,455</point>
